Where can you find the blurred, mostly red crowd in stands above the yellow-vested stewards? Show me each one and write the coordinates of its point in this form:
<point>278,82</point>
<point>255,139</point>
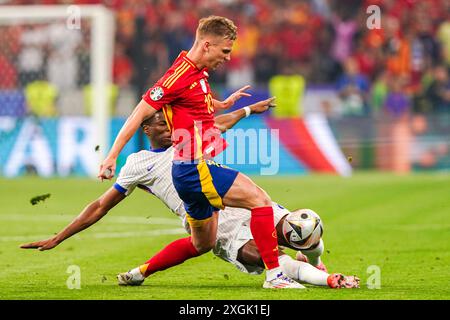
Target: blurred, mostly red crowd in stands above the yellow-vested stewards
<point>401,67</point>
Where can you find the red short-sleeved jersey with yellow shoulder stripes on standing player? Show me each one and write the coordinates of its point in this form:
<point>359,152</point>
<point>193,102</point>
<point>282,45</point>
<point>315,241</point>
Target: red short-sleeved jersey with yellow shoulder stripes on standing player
<point>184,95</point>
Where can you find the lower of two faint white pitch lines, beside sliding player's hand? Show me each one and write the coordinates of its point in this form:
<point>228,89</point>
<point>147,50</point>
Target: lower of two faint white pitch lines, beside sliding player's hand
<point>102,235</point>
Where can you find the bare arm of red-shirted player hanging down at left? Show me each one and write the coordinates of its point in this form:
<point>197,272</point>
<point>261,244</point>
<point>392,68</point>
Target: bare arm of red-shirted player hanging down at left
<point>142,111</point>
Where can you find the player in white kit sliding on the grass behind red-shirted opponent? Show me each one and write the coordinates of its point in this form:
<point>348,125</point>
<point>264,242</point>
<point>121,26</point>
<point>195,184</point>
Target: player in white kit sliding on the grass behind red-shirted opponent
<point>151,171</point>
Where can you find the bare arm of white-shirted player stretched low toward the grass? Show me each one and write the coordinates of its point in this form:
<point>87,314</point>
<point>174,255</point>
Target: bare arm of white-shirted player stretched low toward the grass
<point>90,215</point>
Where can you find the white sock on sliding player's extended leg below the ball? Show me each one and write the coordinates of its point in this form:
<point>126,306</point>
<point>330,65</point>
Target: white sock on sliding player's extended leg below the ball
<point>302,271</point>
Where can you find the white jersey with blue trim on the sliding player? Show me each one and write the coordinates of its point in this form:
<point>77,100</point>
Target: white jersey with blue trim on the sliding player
<point>151,171</point>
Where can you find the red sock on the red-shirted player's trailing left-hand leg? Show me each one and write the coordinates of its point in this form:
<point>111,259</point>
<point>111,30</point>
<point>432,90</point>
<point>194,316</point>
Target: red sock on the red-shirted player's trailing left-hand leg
<point>173,254</point>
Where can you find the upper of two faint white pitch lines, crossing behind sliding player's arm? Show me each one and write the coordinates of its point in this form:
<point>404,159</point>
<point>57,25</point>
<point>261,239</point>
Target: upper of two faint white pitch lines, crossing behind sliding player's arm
<point>110,219</point>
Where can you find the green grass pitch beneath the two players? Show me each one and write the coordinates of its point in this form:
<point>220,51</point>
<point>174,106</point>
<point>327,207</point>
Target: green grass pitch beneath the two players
<point>400,224</point>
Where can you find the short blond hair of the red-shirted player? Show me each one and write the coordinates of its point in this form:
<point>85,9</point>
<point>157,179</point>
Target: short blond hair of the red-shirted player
<point>217,26</point>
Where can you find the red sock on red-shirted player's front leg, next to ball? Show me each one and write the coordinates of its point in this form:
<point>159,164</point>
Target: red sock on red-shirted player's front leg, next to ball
<point>265,235</point>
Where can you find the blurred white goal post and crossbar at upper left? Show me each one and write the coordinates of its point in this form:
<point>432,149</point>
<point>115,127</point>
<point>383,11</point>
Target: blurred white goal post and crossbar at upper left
<point>101,48</point>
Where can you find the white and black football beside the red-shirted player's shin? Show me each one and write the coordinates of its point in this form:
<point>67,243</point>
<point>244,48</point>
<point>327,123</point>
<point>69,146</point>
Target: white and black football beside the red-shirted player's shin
<point>302,229</point>
